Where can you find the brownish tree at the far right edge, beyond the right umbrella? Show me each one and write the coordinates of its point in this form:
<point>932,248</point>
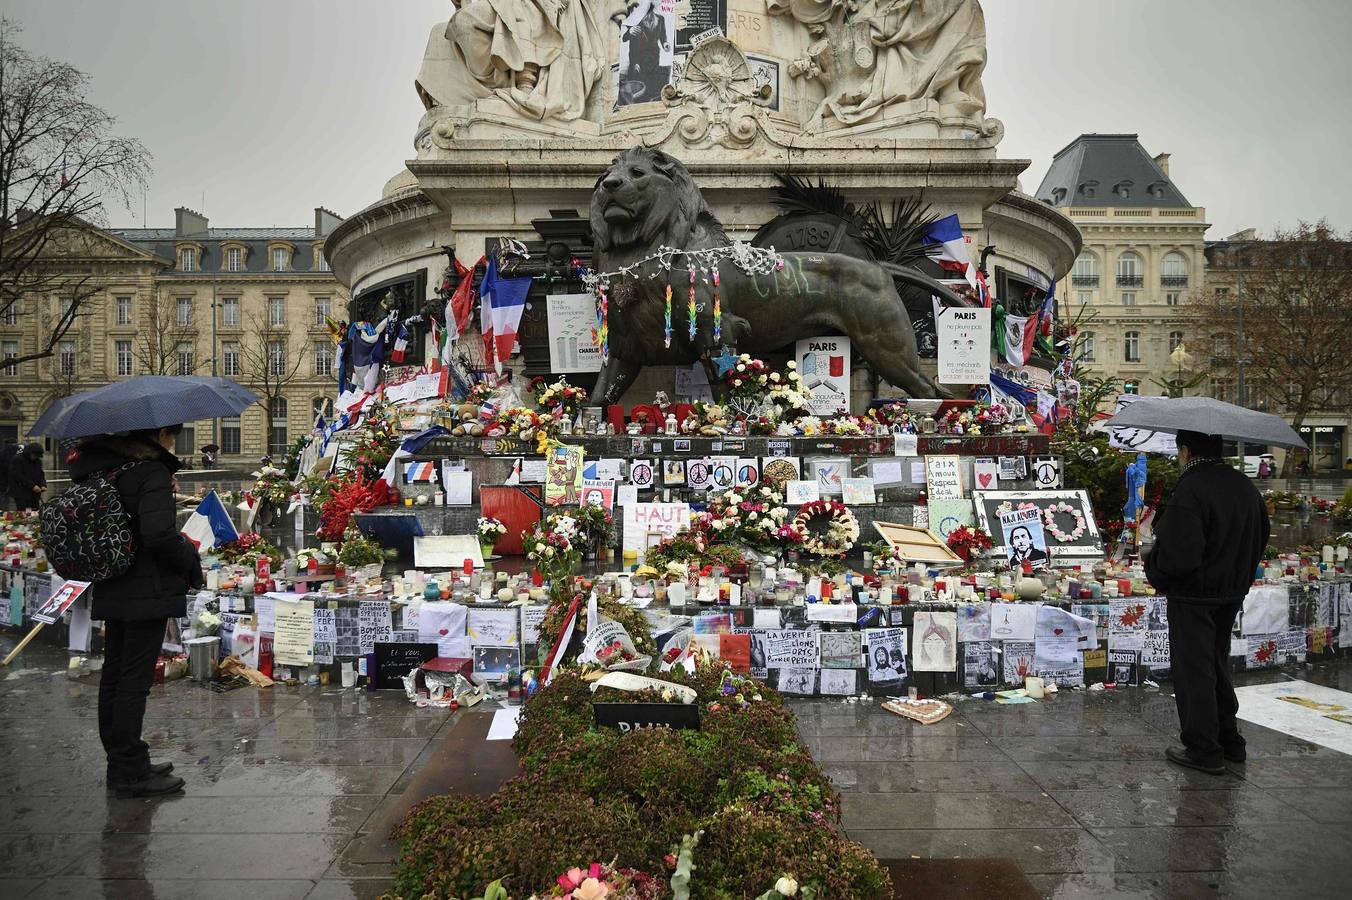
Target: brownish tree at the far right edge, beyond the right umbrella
<point>1282,321</point>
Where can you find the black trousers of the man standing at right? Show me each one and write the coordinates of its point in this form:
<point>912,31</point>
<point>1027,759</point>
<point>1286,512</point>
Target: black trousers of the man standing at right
<point>1200,663</point>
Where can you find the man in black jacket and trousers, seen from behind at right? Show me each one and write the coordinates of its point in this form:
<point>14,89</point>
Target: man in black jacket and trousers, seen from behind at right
<point>1208,547</point>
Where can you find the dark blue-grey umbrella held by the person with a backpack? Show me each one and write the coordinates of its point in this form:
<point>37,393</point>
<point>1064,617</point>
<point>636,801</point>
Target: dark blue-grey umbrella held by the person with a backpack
<point>145,402</point>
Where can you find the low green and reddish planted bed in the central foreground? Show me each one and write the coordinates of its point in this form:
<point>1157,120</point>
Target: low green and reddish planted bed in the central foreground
<point>765,807</point>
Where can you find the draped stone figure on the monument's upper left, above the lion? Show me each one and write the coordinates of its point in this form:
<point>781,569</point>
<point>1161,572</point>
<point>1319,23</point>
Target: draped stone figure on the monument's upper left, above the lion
<point>540,57</point>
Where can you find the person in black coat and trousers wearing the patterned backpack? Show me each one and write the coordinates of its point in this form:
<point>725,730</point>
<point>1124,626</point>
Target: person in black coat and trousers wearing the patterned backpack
<point>139,603</point>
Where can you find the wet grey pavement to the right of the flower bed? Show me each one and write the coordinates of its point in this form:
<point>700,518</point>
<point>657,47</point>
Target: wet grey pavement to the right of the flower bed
<point>1077,791</point>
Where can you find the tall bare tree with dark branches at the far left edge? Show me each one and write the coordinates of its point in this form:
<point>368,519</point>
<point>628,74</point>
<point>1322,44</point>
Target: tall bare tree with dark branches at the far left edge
<point>60,166</point>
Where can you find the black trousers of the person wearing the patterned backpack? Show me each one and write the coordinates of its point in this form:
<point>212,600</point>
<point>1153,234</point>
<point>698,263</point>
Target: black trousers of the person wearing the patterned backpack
<point>129,670</point>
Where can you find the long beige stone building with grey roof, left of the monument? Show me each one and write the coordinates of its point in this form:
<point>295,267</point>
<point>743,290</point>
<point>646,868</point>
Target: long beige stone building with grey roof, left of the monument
<point>243,303</point>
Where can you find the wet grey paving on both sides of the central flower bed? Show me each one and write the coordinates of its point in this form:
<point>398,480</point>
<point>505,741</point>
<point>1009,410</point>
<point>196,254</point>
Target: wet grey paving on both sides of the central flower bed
<point>286,783</point>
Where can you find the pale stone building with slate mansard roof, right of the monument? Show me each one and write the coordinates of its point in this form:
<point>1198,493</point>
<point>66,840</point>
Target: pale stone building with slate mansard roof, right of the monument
<point>1142,264</point>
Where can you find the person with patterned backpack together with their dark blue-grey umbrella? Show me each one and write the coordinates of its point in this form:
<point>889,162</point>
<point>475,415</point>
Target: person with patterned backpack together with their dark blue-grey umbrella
<point>130,429</point>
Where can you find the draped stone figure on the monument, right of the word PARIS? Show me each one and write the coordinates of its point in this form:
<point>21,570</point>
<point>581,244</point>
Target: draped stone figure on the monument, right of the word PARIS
<point>877,53</point>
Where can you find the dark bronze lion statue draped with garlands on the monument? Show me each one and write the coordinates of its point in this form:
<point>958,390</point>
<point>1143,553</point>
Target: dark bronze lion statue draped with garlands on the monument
<point>647,201</point>
